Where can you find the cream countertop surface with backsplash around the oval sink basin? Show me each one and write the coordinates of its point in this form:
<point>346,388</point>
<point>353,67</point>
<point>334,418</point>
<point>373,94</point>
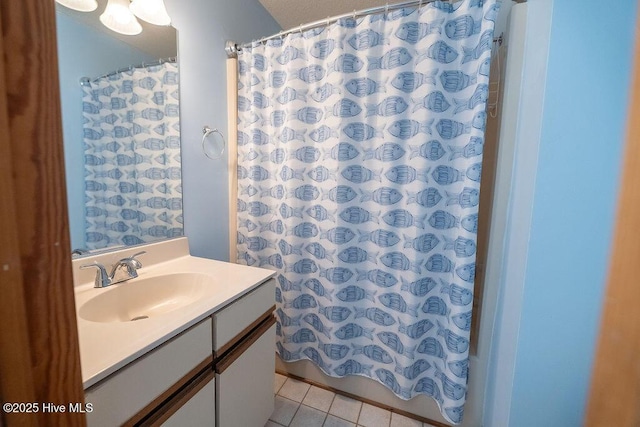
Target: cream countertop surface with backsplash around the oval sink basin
<point>107,347</point>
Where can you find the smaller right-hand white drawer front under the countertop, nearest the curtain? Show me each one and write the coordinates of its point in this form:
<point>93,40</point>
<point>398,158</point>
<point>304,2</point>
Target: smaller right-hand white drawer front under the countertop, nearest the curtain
<point>235,320</point>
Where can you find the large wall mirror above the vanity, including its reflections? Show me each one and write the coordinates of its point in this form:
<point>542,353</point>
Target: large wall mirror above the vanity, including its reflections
<point>121,131</point>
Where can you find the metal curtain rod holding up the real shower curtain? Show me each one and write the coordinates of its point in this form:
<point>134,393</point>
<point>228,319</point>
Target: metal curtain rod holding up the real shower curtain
<point>233,48</point>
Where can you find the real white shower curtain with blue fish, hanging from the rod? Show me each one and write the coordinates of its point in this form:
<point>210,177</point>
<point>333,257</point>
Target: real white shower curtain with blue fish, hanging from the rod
<point>359,152</point>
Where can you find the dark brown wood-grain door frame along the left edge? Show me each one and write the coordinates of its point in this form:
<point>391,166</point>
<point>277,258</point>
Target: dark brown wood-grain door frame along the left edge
<point>39,353</point>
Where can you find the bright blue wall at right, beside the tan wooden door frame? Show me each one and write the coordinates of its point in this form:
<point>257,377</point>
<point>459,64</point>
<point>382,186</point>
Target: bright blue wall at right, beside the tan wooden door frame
<point>573,215</point>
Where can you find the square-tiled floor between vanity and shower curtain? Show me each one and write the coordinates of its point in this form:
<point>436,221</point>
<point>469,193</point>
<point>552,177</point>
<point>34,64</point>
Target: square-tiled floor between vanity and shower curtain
<point>299,404</point>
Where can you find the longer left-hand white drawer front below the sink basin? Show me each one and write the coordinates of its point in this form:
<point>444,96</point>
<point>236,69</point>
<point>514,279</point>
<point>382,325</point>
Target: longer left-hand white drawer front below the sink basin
<point>122,395</point>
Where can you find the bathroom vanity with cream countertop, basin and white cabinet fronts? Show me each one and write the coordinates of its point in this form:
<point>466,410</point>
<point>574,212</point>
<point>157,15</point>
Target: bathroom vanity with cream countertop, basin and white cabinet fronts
<point>190,341</point>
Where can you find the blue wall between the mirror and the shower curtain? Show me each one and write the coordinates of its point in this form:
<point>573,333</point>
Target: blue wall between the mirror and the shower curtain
<point>203,27</point>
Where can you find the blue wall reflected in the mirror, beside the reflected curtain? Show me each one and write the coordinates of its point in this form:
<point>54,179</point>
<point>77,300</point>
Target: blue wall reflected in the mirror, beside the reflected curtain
<point>83,52</point>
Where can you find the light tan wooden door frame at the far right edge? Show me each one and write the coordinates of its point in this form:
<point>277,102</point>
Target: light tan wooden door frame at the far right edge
<point>614,398</point>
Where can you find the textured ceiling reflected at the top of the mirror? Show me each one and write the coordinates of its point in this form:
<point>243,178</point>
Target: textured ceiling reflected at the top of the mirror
<point>159,42</point>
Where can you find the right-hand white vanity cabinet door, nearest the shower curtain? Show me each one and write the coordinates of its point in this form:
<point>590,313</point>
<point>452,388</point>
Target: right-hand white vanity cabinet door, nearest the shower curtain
<point>244,383</point>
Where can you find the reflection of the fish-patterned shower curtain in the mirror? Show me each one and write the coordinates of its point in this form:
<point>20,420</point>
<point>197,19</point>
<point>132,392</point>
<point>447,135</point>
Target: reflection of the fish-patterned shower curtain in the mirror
<point>133,187</point>
